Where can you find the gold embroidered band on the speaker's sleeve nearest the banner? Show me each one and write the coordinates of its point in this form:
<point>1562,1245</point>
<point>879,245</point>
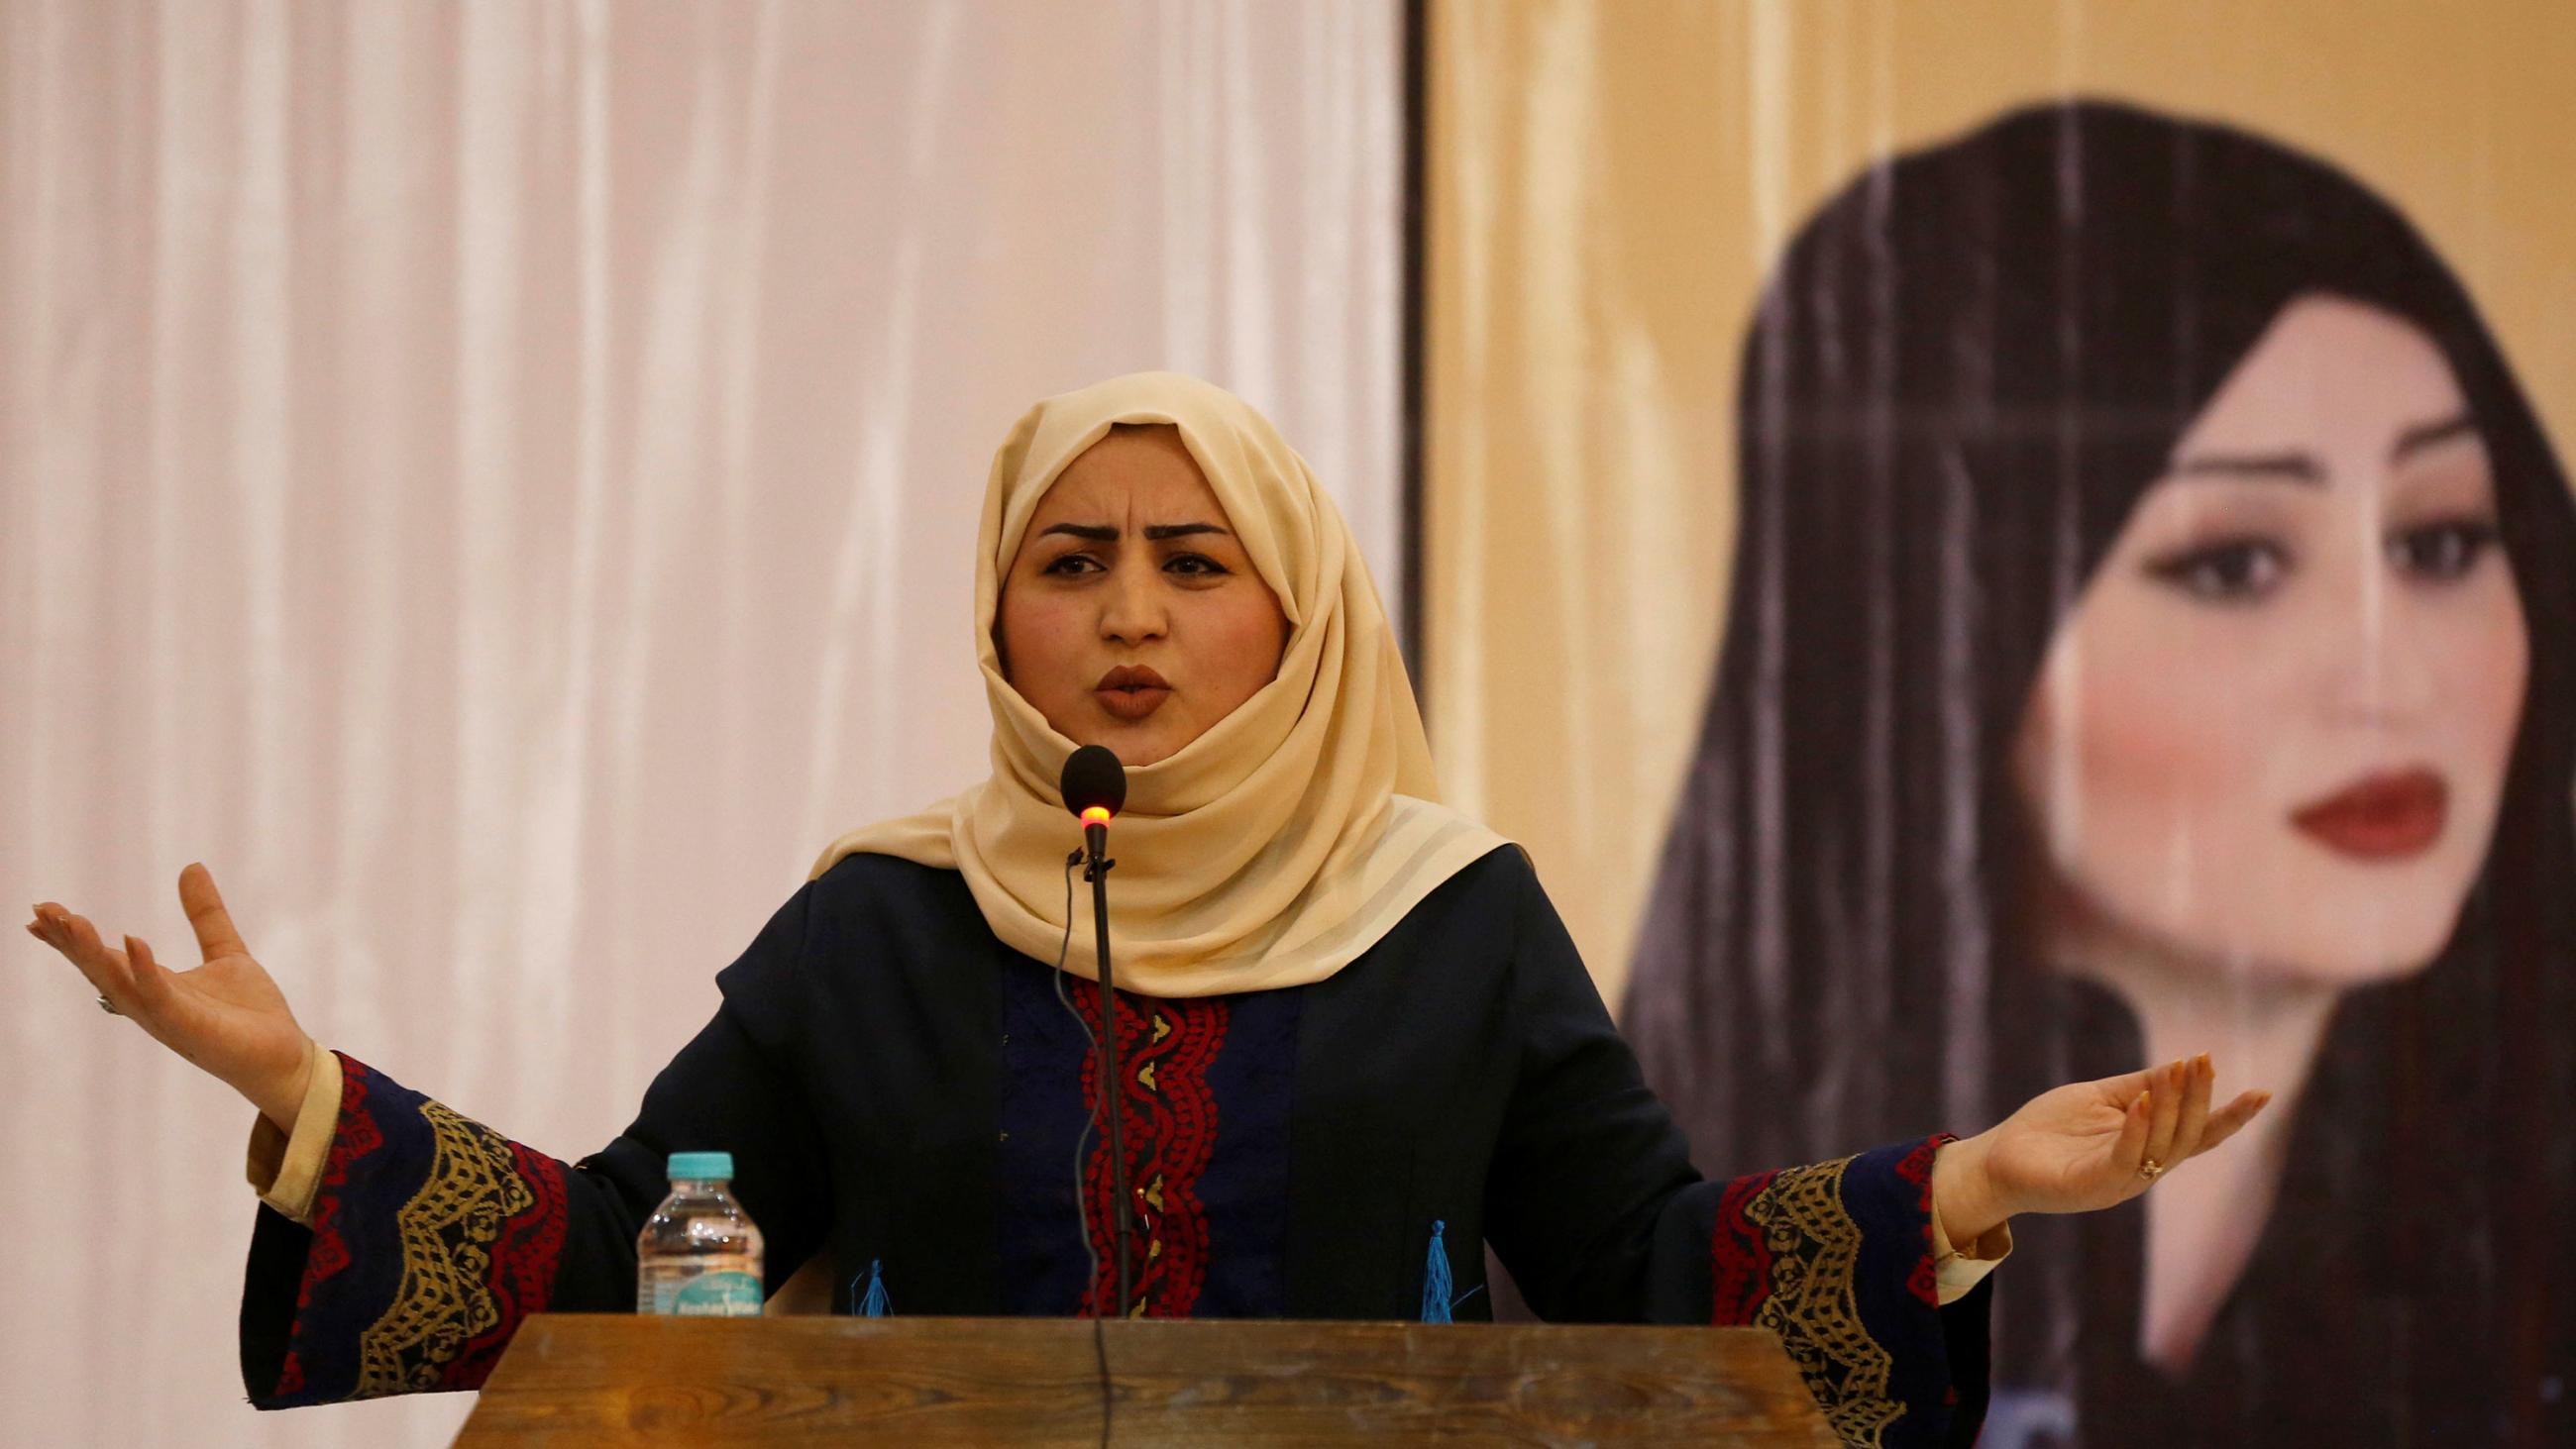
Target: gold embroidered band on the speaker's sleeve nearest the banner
<point>1812,1306</point>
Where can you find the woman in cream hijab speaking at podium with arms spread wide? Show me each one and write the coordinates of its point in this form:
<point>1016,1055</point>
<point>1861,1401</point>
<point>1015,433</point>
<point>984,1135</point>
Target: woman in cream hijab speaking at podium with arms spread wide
<point>1356,1038</point>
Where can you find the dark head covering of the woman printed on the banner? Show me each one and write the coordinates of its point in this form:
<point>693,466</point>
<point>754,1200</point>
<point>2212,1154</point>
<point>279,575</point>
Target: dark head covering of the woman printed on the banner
<point>1962,380</point>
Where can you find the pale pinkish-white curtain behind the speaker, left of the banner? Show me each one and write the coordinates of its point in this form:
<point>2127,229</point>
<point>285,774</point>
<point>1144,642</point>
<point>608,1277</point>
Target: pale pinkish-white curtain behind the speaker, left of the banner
<point>496,483</point>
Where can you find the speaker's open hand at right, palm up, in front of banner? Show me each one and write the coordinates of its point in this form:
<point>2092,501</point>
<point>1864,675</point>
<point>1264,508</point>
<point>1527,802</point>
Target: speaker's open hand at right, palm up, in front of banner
<point>2085,1147</point>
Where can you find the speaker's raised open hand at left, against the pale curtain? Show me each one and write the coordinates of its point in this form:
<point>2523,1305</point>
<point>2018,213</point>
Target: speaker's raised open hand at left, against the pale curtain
<point>225,1015</point>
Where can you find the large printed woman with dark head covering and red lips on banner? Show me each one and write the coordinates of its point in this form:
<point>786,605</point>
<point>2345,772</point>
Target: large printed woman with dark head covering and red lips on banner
<point>2152,624</point>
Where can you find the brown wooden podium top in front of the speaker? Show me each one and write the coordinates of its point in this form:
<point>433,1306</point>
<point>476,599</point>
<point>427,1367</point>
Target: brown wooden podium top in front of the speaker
<point>1039,1381</point>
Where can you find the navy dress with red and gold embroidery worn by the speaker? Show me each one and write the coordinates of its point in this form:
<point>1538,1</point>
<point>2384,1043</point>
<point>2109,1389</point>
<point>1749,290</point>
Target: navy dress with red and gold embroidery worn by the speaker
<point>908,1095</point>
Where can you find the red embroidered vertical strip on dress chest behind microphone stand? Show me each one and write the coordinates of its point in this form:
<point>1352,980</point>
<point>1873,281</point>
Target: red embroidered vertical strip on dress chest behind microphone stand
<point>1171,1134</point>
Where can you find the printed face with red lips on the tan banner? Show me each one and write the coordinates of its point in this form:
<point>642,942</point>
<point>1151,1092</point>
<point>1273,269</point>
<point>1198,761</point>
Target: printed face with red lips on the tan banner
<point>2273,732</point>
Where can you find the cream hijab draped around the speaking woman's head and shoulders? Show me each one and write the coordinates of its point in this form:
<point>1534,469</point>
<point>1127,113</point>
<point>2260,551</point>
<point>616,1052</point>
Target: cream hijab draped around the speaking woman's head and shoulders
<point>1284,840</point>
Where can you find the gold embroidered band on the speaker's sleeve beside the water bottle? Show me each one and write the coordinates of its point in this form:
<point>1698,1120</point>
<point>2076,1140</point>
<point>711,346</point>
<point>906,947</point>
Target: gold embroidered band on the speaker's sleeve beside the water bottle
<point>447,1265</point>
